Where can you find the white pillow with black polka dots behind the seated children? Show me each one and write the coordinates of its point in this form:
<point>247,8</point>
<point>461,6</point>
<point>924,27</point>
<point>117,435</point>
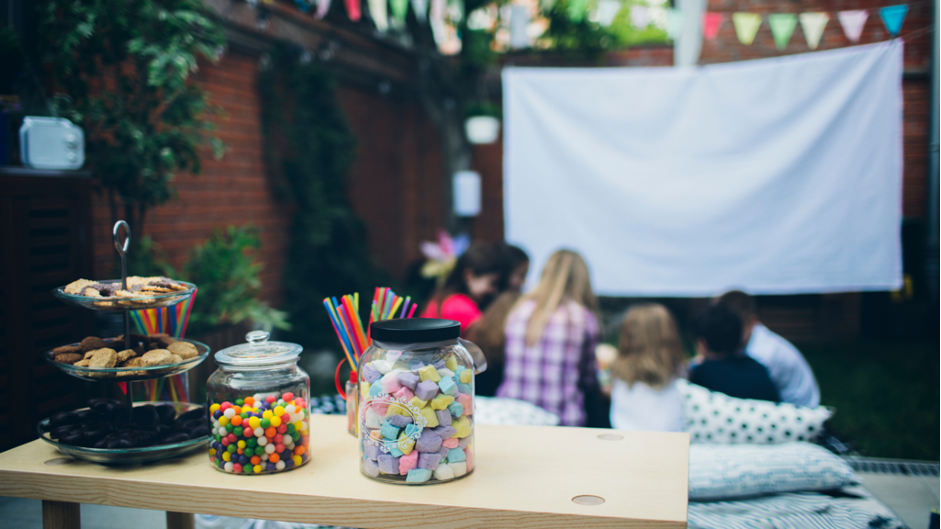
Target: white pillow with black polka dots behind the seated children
<point>715,418</point>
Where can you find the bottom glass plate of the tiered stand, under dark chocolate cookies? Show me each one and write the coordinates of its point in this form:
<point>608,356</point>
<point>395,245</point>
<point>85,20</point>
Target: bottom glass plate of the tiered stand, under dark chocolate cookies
<point>128,456</point>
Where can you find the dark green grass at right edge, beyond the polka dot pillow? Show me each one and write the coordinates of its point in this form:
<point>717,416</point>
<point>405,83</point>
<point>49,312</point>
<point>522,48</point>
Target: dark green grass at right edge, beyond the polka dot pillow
<point>886,395</point>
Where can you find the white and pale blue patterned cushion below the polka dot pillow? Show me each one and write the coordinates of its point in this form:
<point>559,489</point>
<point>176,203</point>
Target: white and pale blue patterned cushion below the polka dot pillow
<point>736,471</point>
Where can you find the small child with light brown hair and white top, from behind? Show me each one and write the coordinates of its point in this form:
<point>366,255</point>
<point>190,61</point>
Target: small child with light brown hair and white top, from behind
<point>650,359</point>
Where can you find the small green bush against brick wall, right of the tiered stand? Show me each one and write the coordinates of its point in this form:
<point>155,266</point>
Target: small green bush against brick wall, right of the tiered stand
<point>228,282</point>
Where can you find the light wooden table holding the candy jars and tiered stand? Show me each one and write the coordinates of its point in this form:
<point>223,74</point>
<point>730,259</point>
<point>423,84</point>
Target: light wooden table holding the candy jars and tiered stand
<point>526,476</point>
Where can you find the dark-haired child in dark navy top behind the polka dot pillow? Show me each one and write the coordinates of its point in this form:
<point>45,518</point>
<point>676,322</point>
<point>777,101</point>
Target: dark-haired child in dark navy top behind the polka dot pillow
<point>725,367</point>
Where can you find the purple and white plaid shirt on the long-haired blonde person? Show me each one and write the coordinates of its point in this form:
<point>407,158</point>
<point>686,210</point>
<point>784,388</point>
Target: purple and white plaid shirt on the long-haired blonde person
<point>553,373</point>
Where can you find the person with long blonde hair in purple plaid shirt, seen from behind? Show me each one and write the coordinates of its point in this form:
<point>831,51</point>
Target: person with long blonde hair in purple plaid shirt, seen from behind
<point>551,335</point>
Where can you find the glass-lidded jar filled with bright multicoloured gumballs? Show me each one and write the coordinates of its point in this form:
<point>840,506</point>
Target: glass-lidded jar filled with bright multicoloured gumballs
<point>258,407</point>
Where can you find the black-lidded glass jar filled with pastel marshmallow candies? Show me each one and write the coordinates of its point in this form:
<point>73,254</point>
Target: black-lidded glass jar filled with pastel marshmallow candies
<point>416,384</point>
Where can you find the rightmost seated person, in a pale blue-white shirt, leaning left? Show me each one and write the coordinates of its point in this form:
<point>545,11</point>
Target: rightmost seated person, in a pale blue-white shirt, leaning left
<point>787,367</point>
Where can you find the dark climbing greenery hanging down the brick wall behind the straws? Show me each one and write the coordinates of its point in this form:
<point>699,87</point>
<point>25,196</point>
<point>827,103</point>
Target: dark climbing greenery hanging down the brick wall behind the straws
<point>309,149</point>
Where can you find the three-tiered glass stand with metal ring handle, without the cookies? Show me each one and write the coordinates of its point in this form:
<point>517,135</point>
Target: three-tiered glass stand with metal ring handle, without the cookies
<point>128,374</point>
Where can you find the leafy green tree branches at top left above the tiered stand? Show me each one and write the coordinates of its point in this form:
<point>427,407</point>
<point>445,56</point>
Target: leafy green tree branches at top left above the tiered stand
<point>125,67</point>
